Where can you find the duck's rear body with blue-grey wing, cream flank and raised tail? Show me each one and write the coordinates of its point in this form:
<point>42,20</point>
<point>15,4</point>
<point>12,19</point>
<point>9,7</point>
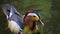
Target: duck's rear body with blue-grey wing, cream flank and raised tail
<point>14,19</point>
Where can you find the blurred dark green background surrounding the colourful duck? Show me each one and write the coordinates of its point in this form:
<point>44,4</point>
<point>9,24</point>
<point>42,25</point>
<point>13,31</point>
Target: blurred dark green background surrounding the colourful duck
<point>49,11</point>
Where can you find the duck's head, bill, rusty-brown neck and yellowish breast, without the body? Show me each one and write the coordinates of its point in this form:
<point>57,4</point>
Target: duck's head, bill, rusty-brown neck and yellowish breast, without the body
<point>30,20</point>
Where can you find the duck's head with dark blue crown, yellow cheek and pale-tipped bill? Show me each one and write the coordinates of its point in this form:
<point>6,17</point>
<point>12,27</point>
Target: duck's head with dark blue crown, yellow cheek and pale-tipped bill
<point>34,16</point>
